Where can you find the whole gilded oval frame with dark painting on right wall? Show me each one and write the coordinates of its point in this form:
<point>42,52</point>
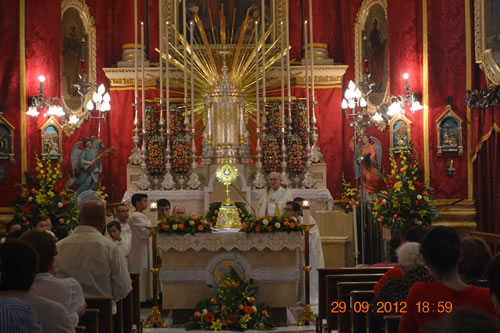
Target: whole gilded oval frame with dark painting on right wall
<point>370,43</point>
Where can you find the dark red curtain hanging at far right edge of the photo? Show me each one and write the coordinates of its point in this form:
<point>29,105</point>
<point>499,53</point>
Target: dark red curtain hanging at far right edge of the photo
<point>487,183</point>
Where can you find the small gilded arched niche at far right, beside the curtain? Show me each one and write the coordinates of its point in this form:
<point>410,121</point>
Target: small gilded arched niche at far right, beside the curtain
<point>449,132</point>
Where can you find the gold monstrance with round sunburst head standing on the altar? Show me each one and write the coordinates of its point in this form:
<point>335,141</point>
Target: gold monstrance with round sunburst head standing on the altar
<point>227,174</point>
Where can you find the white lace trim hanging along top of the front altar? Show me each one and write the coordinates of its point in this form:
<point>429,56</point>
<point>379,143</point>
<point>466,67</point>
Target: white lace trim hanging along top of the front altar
<point>229,240</point>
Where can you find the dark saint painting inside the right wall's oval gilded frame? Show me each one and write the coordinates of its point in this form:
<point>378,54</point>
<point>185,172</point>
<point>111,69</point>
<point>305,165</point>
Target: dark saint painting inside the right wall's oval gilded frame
<point>374,49</point>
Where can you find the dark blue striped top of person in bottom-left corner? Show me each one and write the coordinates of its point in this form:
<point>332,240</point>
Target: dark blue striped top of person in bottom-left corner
<point>17,316</point>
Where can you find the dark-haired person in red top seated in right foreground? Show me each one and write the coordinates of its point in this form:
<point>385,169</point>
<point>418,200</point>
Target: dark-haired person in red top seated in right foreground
<point>441,251</point>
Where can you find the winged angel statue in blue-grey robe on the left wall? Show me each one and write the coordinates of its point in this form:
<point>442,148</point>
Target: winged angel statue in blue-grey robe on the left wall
<point>86,163</point>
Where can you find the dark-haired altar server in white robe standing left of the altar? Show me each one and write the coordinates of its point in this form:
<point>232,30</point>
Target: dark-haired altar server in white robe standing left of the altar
<point>139,258</point>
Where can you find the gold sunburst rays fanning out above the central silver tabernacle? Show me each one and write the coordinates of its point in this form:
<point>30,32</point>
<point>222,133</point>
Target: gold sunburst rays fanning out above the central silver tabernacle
<point>238,54</point>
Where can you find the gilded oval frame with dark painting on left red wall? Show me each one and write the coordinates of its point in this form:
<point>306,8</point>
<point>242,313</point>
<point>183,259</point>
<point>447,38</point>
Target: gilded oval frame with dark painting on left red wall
<point>78,54</point>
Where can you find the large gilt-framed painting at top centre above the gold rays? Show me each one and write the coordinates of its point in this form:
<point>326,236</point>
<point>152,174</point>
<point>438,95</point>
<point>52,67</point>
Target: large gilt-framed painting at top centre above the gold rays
<point>224,19</point>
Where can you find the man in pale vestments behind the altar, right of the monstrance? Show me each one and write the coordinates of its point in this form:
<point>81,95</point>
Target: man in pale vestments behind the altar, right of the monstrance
<point>273,201</point>
